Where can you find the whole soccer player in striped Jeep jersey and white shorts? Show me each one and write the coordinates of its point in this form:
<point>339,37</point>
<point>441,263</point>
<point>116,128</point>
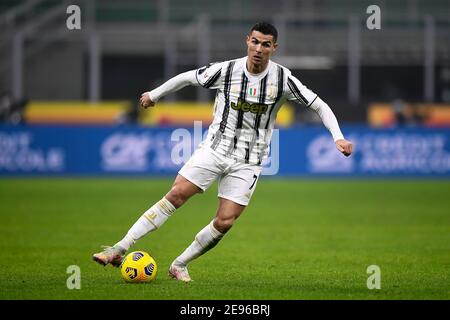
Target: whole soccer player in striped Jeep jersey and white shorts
<point>250,91</point>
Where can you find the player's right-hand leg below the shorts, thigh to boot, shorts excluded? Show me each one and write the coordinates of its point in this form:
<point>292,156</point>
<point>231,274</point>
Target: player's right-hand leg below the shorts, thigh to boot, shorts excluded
<point>207,238</point>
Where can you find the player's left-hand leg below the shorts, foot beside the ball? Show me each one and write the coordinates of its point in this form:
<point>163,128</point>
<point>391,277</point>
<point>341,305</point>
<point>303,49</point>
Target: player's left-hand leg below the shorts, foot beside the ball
<point>182,189</point>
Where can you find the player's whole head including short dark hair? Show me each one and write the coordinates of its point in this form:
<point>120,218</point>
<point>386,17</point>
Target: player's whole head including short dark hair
<point>261,43</point>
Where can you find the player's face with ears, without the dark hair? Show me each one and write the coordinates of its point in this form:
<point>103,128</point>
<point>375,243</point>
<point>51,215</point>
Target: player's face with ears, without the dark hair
<point>260,47</point>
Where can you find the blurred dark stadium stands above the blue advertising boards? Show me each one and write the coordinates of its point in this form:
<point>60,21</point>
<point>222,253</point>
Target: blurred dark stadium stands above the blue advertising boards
<point>125,47</point>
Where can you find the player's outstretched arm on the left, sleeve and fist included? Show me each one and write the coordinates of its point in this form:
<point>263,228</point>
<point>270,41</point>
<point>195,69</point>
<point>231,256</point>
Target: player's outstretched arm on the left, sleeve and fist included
<point>207,77</point>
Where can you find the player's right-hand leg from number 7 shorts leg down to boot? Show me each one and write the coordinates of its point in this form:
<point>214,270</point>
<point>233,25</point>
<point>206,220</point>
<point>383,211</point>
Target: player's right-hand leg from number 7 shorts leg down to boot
<point>235,191</point>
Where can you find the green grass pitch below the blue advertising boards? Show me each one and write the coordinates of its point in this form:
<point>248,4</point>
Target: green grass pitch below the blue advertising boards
<point>298,239</point>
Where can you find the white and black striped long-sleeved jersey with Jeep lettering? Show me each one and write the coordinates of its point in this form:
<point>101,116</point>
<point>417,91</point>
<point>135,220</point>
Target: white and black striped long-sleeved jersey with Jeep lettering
<point>246,105</point>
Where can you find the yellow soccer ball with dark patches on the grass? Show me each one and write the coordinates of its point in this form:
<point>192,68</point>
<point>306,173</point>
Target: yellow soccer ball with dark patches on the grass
<point>138,266</point>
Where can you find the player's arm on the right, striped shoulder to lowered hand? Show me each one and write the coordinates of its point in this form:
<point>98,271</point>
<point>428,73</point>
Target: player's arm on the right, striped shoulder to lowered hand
<point>299,92</point>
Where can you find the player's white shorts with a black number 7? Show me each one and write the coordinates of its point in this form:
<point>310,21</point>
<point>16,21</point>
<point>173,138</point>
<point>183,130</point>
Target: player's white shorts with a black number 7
<point>237,180</point>
